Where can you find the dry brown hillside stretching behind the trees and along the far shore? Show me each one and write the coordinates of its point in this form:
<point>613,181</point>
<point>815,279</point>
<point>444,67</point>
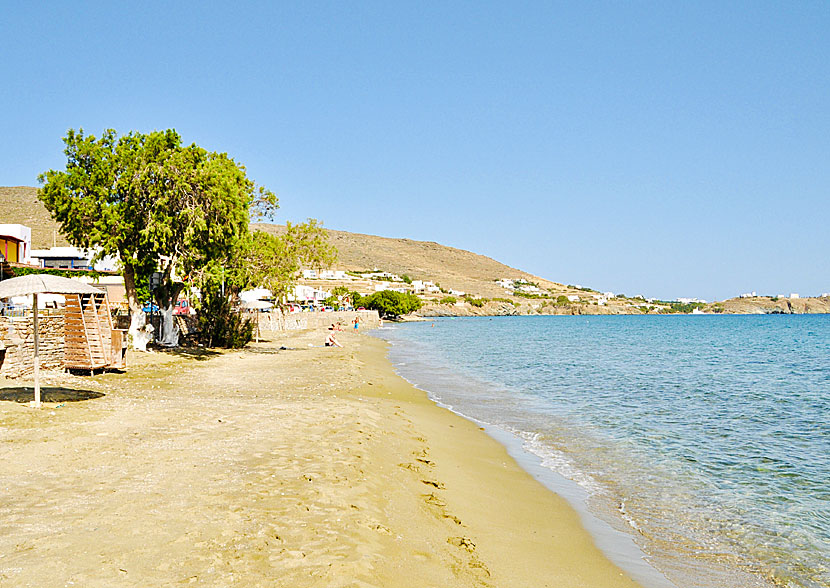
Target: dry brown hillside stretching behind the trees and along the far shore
<point>452,268</point>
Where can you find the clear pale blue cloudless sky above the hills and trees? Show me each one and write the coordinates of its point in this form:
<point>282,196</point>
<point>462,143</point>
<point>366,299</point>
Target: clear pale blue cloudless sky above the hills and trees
<point>671,149</point>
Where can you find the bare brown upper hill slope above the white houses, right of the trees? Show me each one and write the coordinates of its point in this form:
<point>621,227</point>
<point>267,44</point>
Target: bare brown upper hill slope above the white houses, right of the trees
<point>423,260</point>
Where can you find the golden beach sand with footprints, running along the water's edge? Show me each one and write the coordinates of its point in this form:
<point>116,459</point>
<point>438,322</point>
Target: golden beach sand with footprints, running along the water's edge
<point>305,466</point>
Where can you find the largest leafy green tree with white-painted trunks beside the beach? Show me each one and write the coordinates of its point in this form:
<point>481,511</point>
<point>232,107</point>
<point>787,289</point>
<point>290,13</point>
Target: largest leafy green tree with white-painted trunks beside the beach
<point>153,203</point>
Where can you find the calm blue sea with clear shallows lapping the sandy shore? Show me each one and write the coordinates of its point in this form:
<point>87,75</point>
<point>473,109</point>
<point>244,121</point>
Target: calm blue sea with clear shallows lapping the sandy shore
<point>695,447</point>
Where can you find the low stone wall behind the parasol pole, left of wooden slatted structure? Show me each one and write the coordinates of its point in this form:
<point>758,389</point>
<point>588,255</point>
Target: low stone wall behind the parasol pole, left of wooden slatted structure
<point>17,336</point>
